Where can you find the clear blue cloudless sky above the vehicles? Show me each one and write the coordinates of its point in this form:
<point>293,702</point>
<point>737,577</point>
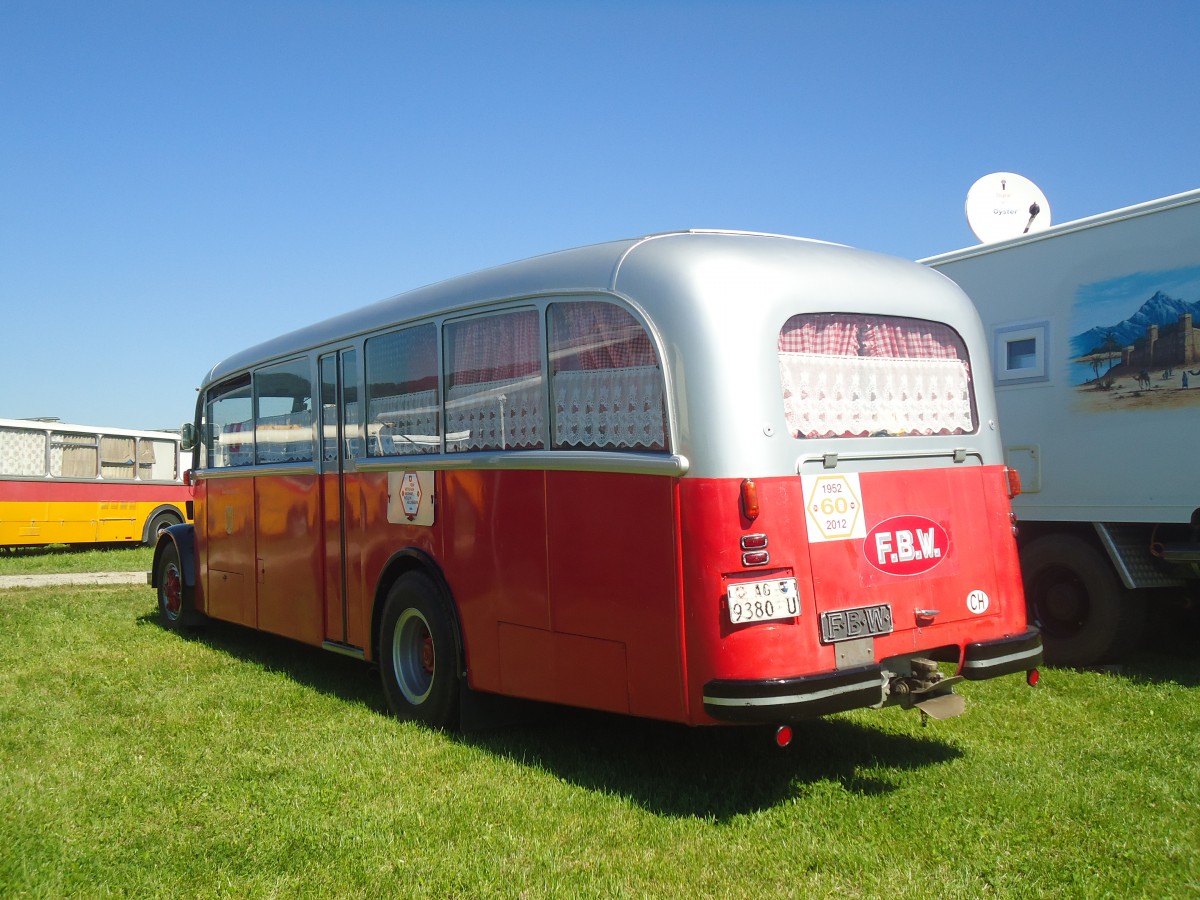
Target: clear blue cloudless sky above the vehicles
<point>179,181</point>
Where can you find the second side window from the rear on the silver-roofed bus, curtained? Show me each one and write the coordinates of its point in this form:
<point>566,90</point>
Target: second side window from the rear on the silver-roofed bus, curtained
<point>495,388</point>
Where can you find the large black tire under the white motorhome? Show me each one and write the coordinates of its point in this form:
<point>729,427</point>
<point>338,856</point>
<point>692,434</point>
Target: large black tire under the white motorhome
<point>1073,596</point>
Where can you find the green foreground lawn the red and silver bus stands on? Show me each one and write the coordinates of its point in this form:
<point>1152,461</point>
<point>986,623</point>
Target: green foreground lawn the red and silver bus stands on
<point>135,761</point>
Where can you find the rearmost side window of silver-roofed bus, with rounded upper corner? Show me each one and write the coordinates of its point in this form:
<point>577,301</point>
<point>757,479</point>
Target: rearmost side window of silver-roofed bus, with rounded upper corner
<point>607,383</point>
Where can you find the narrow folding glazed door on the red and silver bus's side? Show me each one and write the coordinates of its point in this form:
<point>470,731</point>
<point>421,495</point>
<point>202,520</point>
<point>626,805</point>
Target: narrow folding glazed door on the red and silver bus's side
<point>340,431</point>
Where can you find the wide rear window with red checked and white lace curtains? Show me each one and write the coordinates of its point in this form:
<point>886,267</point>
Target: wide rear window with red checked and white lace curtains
<point>874,376</point>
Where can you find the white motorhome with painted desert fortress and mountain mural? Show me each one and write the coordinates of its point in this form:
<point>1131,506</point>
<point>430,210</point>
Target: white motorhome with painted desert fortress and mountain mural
<point>1095,329</point>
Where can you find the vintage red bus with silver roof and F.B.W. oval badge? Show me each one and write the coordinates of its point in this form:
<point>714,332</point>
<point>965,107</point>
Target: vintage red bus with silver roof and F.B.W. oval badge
<point>699,477</point>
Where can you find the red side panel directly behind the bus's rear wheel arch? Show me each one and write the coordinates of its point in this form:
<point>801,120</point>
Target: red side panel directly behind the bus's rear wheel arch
<point>495,562</point>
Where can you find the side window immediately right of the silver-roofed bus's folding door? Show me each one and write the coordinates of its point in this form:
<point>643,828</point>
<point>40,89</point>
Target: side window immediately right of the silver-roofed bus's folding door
<point>404,410</point>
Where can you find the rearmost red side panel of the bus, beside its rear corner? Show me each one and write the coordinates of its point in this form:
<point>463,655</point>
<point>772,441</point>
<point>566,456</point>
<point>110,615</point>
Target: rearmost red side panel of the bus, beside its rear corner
<point>613,577</point>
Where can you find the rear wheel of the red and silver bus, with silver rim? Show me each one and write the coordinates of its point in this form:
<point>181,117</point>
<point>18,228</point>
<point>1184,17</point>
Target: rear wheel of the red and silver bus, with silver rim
<point>418,653</point>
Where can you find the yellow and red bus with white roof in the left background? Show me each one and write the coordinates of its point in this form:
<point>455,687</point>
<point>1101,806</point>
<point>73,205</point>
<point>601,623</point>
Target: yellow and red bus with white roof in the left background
<point>77,484</point>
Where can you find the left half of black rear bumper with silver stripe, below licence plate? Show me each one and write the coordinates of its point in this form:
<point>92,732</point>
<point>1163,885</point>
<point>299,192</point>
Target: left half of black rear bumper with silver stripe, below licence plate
<point>781,700</point>
